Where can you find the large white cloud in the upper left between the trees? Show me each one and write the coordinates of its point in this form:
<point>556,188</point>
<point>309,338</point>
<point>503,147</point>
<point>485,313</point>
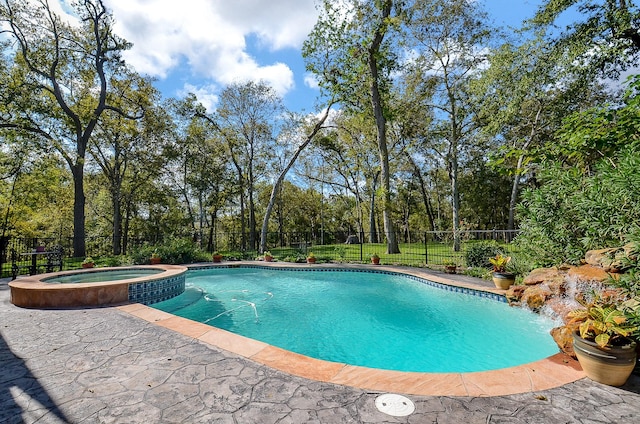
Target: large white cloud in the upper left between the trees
<point>210,37</point>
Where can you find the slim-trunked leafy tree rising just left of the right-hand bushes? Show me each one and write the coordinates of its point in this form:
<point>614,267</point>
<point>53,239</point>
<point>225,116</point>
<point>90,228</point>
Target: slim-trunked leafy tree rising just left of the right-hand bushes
<point>521,99</point>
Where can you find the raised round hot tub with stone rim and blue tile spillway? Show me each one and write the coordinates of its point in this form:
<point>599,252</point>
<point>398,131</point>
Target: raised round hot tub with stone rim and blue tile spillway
<point>99,287</point>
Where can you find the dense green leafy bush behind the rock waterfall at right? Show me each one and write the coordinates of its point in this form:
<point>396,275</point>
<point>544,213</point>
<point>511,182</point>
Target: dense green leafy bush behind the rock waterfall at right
<point>572,212</point>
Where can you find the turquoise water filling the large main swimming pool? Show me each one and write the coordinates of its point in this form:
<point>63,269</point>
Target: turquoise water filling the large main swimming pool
<point>375,320</point>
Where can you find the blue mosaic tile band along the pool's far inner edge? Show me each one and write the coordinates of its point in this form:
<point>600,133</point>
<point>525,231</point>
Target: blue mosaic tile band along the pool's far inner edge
<point>442,286</point>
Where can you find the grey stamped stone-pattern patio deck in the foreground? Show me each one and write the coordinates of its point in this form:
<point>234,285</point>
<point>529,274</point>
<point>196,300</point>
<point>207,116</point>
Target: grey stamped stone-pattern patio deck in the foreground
<point>110,365</point>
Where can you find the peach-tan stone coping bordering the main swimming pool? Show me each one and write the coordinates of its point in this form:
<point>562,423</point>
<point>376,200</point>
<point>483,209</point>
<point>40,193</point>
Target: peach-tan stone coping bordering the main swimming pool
<point>554,371</point>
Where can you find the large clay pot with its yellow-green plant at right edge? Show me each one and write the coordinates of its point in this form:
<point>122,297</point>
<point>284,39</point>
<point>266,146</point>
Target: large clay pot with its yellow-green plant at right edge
<point>604,341</point>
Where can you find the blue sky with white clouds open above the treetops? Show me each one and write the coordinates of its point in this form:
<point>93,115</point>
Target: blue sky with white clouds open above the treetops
<point>201,45</point>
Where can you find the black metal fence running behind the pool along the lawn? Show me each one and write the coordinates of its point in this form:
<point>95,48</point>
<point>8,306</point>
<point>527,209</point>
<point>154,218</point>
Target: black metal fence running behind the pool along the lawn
<point>417,248</point>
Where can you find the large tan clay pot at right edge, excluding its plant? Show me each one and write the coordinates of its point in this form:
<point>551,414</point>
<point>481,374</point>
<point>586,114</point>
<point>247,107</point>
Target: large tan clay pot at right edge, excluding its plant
<point>611,366</point>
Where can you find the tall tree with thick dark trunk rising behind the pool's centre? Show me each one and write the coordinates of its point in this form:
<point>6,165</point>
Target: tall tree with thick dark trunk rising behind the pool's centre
<point>349,51</point>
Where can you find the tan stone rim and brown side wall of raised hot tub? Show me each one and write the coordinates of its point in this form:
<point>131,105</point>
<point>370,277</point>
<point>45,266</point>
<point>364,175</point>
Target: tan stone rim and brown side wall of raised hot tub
<point>33,292</point>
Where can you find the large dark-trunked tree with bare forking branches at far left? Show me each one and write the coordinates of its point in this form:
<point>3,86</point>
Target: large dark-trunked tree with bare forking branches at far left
<point>60,81</point>
